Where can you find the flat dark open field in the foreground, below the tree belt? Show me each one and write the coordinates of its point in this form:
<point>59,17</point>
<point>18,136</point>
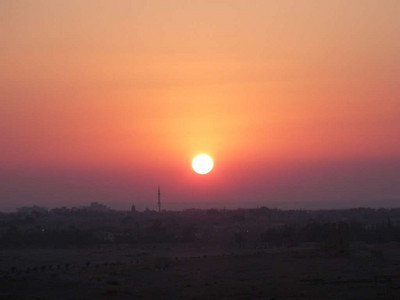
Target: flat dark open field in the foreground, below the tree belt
<point>179,272</point>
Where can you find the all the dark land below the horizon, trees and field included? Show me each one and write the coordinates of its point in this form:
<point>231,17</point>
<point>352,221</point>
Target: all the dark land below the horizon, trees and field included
<point>98,253</point>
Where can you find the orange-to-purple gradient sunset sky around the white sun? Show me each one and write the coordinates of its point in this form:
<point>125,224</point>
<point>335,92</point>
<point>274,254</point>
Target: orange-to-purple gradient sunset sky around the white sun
<point>298,102</point>
